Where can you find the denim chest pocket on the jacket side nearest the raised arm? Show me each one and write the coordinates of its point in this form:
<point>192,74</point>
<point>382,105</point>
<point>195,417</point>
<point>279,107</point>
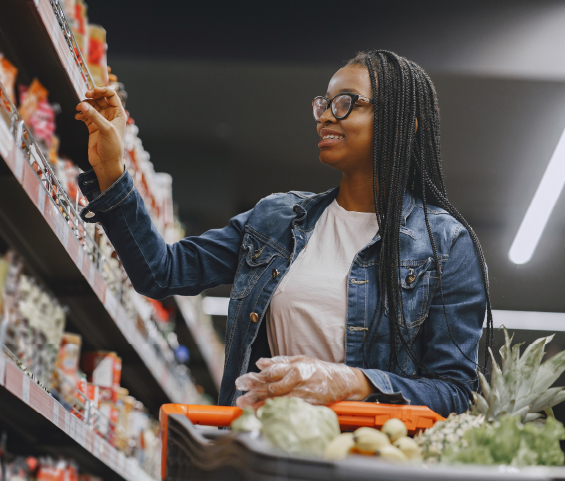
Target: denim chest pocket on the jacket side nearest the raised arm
<point>255,257</point>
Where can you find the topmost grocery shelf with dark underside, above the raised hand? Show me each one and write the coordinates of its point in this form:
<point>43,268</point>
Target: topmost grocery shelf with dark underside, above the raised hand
<point>40,43</point>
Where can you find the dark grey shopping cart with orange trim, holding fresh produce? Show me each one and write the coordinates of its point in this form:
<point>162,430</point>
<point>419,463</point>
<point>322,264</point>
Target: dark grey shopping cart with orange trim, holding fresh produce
<point>194,451</point>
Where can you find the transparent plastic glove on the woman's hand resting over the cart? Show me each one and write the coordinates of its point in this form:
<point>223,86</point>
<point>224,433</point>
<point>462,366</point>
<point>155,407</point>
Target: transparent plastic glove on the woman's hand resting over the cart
<point>315,381</point>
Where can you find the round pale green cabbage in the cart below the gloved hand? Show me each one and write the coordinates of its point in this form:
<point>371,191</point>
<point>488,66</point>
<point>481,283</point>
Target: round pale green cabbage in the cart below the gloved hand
<point>297,427</point>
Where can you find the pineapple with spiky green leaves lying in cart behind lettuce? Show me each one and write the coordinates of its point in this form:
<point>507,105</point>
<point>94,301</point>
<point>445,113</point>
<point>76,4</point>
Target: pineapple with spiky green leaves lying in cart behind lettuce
<point>521,387</point>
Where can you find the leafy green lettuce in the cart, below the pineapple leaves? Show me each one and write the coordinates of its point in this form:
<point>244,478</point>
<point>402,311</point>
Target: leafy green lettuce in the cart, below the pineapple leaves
<point>509,441</point>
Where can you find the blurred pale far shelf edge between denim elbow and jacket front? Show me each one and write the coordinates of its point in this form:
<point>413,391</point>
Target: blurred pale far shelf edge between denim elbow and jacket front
<point>204,337</point>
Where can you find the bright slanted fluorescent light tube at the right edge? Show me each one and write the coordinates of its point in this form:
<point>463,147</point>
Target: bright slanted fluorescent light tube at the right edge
<point>538,213</point>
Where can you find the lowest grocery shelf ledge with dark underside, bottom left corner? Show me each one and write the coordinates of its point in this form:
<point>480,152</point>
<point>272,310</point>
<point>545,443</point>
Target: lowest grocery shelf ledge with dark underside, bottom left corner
<point>34,417</point>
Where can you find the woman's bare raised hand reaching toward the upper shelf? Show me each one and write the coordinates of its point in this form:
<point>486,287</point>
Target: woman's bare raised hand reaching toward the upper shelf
<point>104,115</point>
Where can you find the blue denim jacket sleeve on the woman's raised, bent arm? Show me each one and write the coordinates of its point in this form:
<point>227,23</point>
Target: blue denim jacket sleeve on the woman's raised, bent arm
<point>155,268</point>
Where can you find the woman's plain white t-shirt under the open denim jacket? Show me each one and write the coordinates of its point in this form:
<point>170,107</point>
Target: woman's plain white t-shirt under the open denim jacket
<point>307,314</point>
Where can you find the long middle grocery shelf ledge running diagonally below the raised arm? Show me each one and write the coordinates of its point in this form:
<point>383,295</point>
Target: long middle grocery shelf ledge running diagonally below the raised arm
<point>33,224</point>
